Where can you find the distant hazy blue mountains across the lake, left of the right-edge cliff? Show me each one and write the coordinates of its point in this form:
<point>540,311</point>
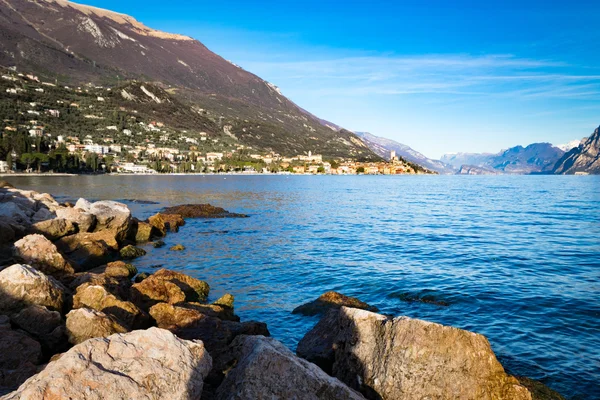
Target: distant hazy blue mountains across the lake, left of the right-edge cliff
<point>535,158</point>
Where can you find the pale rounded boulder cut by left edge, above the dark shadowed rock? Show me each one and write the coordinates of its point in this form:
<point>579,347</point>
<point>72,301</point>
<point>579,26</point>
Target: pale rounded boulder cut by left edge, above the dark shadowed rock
<point>22,286</point>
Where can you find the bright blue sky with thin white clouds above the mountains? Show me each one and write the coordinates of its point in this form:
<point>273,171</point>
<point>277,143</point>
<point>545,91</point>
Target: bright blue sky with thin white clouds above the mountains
<point>439,76</point>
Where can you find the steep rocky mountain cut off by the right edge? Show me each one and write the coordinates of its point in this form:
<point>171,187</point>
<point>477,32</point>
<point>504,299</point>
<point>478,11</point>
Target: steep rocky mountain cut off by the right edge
<point>582,159</point>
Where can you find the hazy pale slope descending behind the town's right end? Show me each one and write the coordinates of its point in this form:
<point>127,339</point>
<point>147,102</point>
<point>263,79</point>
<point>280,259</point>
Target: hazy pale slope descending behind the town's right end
<point>382,147</point>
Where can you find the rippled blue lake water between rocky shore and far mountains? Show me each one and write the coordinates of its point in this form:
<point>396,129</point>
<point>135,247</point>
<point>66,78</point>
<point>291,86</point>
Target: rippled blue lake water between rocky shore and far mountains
<point>516,258</point>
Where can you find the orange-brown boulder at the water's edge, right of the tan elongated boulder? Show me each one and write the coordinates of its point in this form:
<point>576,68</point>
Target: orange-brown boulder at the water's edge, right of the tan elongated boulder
<point>169,287</point>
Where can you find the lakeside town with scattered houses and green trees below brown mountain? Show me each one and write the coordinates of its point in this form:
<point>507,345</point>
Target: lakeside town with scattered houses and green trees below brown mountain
<point>49,128</point>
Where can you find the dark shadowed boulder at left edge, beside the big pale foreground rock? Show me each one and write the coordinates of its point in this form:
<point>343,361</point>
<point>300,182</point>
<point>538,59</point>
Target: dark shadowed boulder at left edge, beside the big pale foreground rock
<point>19,356</point>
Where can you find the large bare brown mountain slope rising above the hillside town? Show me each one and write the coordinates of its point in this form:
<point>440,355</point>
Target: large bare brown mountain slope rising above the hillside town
<point>72,44</point>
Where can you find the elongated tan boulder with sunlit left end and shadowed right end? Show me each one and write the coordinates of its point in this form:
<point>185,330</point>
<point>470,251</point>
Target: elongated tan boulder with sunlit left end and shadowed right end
<point>99,299</point>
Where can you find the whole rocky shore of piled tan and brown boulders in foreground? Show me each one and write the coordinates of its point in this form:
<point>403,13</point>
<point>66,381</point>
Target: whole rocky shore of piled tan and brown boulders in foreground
<point>77,321</point>
